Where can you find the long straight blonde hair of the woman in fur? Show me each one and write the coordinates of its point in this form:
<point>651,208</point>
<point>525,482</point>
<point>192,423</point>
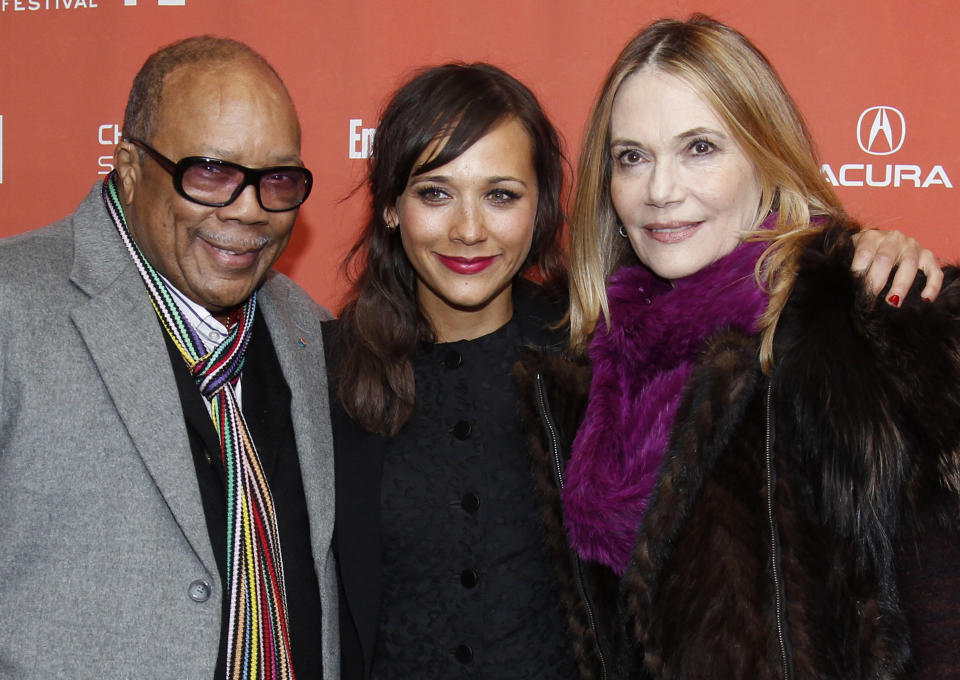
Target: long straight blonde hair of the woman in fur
<point>738,82</point>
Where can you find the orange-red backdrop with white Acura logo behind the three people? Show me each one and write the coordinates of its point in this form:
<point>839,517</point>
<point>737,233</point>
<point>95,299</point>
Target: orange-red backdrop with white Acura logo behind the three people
<point>876,80</point>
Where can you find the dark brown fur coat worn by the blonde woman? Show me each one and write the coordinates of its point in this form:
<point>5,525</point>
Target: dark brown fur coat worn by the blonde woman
<point>866,412</point>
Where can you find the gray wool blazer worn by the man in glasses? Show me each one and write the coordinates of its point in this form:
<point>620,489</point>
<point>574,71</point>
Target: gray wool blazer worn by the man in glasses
<point>103,538</point>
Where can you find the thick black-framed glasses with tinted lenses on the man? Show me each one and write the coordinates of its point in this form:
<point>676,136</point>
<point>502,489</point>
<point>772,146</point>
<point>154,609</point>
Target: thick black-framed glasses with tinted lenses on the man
<point>216,183</point>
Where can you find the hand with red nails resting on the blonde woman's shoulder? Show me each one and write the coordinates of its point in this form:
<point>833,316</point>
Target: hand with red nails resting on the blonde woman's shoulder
<point>877,252</point>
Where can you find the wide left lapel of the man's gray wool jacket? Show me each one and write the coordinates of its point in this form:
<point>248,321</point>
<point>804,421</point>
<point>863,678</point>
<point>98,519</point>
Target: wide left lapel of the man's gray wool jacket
<point>121,332</point>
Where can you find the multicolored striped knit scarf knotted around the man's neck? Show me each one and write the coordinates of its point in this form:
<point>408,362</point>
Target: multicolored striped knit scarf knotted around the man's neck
<point>258,639</point>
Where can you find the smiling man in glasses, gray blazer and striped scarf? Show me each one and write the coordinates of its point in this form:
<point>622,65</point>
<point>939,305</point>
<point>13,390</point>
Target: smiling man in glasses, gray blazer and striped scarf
<point>166,483</point>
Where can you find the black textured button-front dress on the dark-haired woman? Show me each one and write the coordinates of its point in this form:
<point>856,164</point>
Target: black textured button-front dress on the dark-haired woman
<point>468,587</point>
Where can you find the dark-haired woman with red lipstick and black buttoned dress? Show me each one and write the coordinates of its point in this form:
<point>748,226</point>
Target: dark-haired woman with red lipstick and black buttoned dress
<point>443,563</point>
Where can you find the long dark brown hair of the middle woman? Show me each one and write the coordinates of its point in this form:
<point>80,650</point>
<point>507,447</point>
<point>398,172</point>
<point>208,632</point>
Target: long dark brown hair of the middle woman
<point>382,323</point>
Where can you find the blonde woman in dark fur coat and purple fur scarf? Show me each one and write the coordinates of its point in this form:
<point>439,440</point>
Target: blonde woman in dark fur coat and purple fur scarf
<point>784,442</point>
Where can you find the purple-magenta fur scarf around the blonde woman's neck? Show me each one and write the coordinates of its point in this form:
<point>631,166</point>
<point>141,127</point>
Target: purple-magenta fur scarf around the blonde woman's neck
<point>640,367</point>
